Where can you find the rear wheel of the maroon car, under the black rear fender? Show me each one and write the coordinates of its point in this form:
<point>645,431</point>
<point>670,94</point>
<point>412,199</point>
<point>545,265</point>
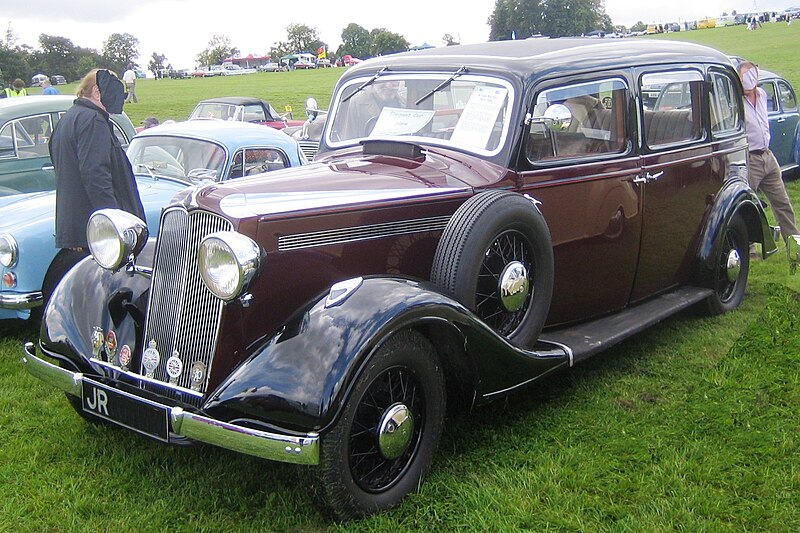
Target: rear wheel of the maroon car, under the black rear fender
<point>735,247</point>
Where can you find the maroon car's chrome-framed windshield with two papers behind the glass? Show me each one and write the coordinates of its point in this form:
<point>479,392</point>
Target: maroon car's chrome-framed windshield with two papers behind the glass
<point>449,108</point>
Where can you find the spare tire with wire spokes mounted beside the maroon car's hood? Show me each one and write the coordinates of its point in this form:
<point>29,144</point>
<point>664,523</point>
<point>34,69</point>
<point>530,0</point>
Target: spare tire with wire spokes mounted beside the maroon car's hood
<point>488,233</point>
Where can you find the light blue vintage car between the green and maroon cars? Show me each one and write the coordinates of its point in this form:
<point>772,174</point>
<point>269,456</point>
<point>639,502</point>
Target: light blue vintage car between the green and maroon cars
<point>165,159</point>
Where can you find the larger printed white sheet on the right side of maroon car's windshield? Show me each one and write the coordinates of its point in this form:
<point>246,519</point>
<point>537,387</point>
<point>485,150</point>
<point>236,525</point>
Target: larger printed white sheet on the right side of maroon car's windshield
<point>477,122</point>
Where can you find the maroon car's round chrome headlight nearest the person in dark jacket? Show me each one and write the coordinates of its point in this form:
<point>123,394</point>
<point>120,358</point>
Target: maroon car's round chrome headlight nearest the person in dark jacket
<point>114,235</point>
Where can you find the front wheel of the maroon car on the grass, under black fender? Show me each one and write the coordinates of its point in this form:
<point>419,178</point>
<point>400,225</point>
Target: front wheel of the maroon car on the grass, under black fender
<point>355,475</point>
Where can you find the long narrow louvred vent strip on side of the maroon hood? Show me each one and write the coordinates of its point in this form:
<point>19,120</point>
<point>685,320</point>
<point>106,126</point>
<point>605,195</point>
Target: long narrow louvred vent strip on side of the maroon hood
<point>360,233</point>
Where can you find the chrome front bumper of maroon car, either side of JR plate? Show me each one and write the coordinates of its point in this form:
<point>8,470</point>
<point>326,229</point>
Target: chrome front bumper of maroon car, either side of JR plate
<point>273,446</point>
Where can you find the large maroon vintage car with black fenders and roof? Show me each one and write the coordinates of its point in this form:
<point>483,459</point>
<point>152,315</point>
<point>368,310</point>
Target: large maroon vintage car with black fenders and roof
<point>478,217</point>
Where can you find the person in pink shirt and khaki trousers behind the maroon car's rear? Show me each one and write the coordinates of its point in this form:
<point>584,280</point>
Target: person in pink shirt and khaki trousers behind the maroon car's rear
<point>764,171</point>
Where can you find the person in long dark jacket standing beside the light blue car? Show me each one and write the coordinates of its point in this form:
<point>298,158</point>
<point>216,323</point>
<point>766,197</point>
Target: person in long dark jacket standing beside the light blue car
<point>92,170</point>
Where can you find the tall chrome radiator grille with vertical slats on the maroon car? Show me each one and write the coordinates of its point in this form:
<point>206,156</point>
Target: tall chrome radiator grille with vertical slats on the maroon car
<point>183,316</point>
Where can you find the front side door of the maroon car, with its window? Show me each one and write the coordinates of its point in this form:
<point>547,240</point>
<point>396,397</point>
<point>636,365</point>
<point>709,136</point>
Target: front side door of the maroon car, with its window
<point>579,161</point>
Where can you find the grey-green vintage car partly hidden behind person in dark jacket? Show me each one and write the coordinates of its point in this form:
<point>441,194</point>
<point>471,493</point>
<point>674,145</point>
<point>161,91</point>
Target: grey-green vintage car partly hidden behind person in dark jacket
<point>25,127</point>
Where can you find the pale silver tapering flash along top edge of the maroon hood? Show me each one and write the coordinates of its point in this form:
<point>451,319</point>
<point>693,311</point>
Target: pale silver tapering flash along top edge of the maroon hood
<point>246,205</point>
